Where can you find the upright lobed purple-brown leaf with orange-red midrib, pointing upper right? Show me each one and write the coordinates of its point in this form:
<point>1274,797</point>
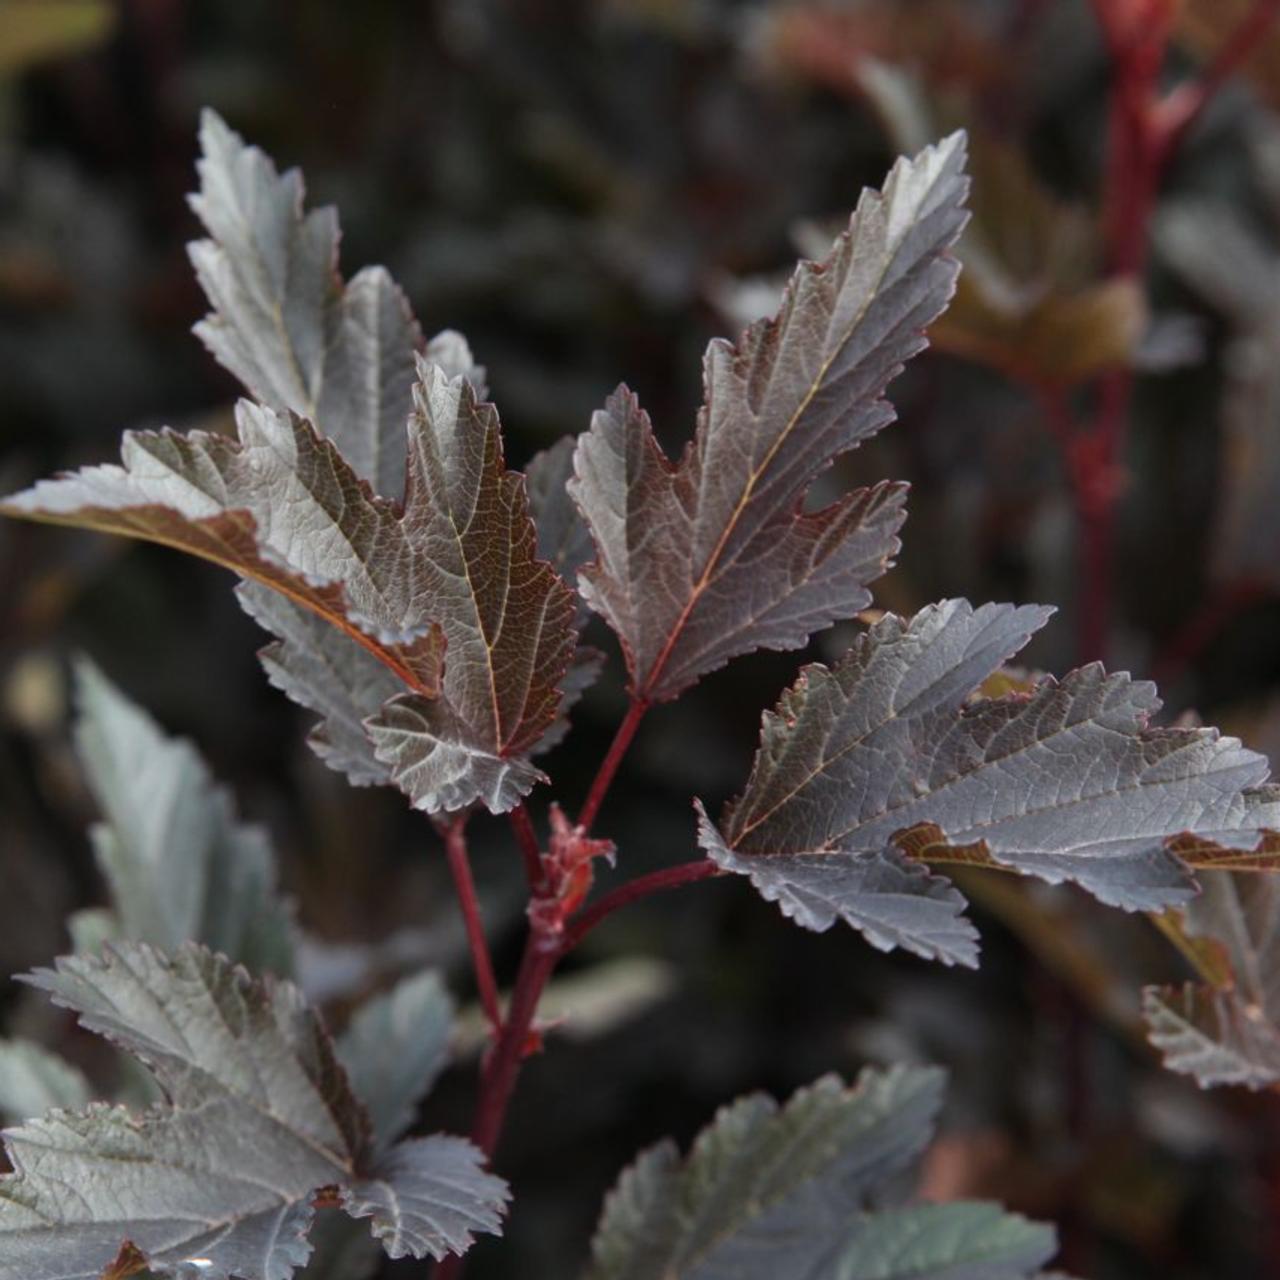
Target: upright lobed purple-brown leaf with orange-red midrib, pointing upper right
<point>717,556</point>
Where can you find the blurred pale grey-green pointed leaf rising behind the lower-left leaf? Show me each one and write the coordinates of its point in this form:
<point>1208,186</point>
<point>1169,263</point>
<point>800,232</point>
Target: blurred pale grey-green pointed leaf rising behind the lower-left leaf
<point>179,866</point>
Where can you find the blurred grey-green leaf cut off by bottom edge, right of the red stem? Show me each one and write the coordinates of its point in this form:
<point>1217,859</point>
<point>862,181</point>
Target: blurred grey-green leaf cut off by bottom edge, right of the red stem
<point>787,1191</point>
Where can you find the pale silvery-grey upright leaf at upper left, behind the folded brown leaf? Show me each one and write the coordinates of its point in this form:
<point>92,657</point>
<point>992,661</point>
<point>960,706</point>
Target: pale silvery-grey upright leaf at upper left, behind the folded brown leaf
<point>284,322</point>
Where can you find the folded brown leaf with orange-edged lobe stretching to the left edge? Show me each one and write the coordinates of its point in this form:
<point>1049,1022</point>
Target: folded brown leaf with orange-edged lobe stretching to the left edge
<point>458,564</point>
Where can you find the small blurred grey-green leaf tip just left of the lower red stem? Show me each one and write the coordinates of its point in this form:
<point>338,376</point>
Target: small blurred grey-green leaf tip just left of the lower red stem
<point>395,1049</point>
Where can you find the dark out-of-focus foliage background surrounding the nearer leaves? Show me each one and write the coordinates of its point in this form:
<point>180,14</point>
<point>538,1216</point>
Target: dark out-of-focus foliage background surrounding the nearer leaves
<point>591,191</point>
